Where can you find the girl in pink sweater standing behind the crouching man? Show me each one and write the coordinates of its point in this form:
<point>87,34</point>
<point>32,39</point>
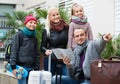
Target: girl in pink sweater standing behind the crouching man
<point>78,20</point>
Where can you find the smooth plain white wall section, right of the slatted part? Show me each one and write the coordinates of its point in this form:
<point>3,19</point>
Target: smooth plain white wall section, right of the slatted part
<point>103,19</point>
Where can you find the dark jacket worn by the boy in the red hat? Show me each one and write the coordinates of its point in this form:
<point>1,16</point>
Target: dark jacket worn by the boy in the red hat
<point>25,53</point>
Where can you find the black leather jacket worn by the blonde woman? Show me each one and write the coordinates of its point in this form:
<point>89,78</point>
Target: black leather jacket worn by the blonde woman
<point>57,39</point>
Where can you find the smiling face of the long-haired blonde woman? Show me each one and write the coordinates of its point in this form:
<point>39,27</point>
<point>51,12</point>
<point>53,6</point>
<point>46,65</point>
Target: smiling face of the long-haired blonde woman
<point>54,16</point>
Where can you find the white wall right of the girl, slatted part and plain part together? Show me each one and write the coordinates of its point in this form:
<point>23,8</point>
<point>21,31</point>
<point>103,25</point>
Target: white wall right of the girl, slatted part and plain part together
<point>100,14</point>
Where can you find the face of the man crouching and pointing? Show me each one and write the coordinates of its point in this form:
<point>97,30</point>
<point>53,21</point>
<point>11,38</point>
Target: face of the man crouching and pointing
<point>80,36</point>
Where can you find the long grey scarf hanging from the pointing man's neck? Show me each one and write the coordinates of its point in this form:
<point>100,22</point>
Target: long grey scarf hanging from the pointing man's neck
<point>79,50</point>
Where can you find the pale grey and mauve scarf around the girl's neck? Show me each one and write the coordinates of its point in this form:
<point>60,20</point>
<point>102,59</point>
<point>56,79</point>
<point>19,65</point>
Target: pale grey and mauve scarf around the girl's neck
<point>78,20</point>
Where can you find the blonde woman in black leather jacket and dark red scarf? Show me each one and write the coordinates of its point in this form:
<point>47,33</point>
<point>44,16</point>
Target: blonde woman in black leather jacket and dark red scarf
<point>55,35</point>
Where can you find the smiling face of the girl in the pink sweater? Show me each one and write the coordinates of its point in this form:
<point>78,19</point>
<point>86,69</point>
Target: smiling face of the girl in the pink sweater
<point>78,11</point>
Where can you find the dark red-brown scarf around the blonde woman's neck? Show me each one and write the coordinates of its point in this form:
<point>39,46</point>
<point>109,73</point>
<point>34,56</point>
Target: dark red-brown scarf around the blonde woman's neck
<point>58,26</point>
